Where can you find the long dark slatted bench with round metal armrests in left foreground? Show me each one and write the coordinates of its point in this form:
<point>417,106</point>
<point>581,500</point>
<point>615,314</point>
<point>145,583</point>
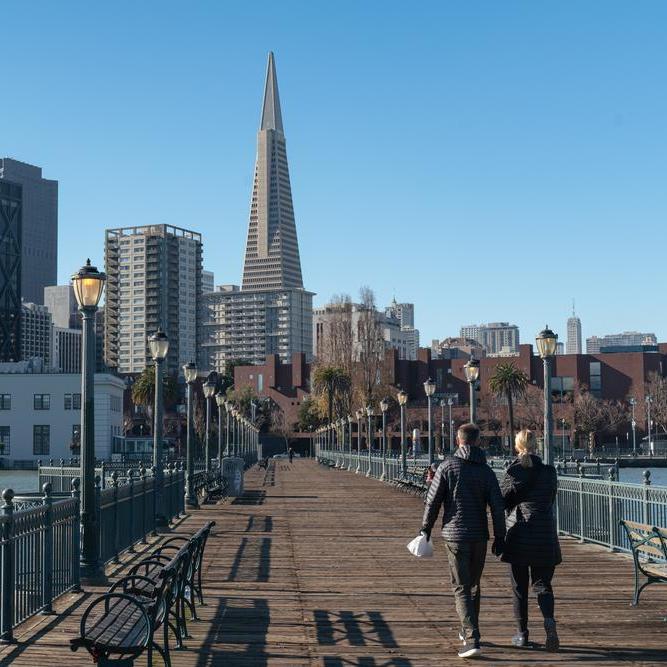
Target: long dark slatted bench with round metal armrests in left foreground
<point>120,625</point>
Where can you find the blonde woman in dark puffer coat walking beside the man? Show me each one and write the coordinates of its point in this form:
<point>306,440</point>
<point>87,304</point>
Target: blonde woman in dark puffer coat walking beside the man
<point>531,546</point>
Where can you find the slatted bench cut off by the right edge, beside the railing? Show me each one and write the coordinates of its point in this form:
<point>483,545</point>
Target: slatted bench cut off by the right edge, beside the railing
<point>649,553</point>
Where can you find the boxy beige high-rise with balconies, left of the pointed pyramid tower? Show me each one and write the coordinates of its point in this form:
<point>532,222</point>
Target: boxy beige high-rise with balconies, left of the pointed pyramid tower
<point>153,280</point>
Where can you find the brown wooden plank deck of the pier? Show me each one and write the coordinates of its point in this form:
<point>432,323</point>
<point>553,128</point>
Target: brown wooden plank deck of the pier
<point>310,568</point>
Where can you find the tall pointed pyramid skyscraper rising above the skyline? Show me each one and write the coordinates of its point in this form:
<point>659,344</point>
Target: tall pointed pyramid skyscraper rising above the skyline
<point>272,250</point>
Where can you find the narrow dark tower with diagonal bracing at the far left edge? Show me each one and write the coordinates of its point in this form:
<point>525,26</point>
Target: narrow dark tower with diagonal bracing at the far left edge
<point>11,206</point>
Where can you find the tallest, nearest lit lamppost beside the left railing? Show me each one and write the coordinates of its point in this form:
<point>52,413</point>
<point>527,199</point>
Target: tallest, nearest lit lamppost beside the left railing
<point>88,284</point>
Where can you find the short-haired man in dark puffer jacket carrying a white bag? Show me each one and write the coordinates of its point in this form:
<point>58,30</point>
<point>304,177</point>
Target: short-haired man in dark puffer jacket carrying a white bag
<point>464,485</point>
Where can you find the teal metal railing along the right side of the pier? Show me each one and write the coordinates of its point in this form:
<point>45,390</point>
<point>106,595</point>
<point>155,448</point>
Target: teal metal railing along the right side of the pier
<point>587,509</point>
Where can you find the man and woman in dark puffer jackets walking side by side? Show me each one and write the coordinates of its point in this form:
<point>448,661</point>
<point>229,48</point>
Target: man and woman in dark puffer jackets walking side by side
<point>524,528</point>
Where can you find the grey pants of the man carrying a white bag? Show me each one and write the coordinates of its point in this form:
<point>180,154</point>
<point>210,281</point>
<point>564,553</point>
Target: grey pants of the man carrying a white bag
<point>466,562</point>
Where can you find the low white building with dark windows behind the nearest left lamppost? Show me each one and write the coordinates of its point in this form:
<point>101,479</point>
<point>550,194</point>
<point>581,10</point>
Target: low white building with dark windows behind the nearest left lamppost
<point>40,415</point>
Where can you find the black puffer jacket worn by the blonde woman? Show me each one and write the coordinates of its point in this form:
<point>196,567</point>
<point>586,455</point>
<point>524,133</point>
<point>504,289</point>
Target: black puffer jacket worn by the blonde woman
<point>529,495</point>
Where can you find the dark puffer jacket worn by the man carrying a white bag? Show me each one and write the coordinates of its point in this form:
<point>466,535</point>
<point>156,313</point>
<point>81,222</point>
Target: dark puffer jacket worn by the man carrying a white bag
<point>464,485</point>
